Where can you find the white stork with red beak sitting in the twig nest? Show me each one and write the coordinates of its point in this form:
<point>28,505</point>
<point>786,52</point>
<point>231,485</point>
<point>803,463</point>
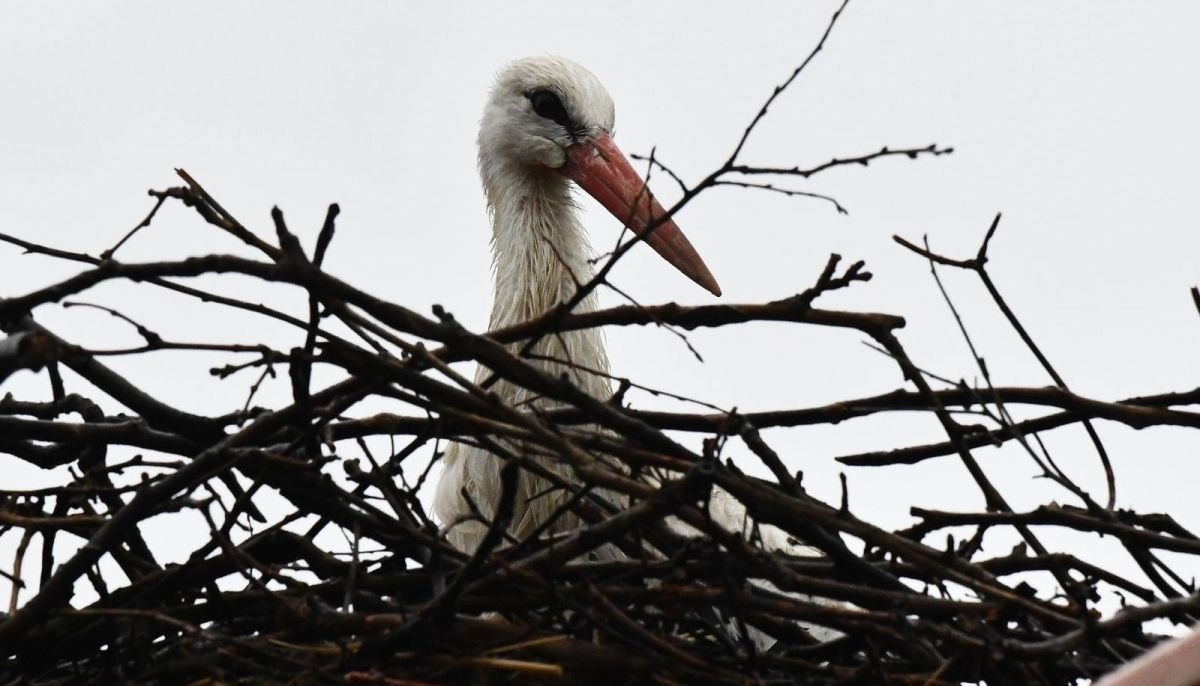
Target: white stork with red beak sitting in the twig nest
<point>548,127</point>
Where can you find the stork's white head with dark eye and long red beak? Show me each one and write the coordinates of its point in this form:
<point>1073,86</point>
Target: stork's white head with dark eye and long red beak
<point>550,117</point>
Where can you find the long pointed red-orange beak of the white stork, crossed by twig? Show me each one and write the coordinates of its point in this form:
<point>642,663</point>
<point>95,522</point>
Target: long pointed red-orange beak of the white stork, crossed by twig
<point>602,170</point>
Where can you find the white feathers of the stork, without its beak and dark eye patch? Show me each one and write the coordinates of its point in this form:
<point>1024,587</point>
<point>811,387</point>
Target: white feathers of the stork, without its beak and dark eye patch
<point>541,255</point>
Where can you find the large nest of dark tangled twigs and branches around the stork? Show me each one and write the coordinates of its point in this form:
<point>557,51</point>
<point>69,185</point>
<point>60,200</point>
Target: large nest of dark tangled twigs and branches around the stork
<point>261,601</point>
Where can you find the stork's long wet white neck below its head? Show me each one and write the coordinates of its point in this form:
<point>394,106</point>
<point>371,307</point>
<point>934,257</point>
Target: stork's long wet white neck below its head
<point>541,254</point>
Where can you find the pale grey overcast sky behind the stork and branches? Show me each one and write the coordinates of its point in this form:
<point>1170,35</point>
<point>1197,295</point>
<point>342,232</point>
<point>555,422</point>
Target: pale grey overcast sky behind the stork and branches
<point>1078,121</point>
